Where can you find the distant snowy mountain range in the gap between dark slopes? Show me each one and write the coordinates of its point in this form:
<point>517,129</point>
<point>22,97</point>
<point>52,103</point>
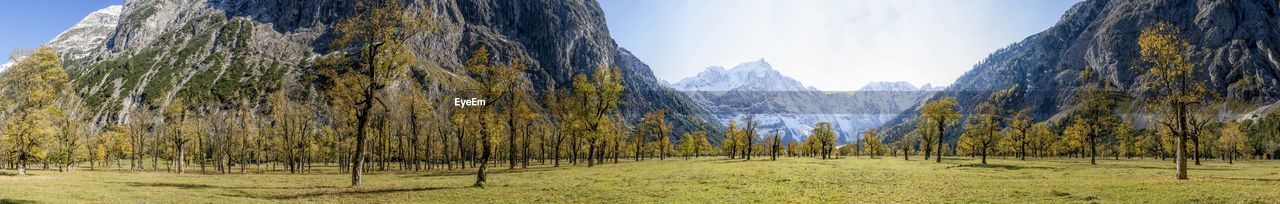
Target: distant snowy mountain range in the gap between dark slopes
<point>787,106</point>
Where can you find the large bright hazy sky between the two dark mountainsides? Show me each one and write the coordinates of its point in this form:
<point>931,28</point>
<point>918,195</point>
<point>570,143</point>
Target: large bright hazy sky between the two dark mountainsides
<point>828,44</point>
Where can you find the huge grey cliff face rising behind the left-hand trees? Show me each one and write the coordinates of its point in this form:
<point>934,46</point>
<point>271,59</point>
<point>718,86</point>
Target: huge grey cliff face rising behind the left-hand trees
<point>234,52</point>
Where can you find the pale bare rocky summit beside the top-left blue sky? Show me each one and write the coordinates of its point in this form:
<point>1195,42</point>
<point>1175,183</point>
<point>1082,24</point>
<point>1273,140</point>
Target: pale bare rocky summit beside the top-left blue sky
<point>88,37</point>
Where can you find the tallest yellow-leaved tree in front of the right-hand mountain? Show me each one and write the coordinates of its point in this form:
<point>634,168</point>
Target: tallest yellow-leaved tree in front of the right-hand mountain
<point>1173,84</point>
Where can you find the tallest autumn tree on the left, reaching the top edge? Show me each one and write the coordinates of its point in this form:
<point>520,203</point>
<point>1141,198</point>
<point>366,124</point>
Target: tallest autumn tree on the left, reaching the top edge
<point>372,48</point>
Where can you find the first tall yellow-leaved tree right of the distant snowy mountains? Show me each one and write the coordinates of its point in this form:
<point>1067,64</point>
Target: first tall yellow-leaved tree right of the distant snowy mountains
<point>938,116</point>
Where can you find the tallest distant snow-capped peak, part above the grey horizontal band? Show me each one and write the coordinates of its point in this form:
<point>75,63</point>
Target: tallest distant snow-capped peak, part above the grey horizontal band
<point>751,76</point>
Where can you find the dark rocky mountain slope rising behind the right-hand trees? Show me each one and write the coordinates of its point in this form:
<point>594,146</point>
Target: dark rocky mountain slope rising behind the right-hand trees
<point>1236,43</point>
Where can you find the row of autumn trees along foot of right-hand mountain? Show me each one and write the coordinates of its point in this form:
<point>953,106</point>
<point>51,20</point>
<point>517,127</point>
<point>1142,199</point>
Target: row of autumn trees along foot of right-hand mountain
<point>1176,103</point>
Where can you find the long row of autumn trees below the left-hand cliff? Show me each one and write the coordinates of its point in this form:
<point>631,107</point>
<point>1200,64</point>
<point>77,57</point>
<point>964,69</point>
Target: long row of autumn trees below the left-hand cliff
<point>373,110</point>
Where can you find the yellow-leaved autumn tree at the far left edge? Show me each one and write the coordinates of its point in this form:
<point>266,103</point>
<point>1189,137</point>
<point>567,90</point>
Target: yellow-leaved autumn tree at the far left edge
<point>30,92</point>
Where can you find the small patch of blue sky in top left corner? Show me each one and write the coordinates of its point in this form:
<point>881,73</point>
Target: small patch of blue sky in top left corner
<point>29,24</point>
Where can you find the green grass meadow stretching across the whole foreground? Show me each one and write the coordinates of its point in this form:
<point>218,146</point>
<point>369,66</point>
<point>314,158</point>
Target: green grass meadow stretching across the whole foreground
<point>789,180</point>
